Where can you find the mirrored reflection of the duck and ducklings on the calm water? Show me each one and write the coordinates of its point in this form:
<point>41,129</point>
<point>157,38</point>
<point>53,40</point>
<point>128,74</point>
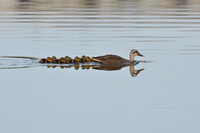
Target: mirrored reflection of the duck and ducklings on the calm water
<point>132,70</point>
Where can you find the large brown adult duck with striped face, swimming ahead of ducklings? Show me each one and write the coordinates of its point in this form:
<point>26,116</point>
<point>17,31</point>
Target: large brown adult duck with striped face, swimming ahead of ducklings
<point>115,59</point>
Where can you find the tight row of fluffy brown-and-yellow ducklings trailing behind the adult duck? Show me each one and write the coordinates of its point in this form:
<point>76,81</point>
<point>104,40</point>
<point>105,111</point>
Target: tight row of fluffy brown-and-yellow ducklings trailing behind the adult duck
<point>66,60</point>
